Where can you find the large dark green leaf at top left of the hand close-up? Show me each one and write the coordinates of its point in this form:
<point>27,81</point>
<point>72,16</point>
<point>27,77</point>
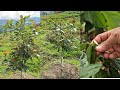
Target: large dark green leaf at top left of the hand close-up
<point>95,18</point>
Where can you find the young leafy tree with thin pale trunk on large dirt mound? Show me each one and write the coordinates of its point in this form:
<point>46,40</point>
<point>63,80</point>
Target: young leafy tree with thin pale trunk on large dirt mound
<point>62,37</point>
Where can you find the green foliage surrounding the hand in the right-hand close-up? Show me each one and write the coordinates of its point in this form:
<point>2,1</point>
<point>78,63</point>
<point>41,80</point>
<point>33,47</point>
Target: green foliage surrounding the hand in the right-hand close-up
<point>92,66</point>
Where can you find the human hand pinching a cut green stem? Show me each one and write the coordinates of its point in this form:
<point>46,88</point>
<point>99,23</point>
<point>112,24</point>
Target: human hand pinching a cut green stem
<point>109,42</point>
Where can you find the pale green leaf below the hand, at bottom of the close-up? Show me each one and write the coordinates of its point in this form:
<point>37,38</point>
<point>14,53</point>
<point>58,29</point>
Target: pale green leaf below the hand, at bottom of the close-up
<point>90,70</point>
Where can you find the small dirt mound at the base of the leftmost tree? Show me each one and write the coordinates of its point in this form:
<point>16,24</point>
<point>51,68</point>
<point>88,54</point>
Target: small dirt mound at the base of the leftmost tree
<point>24,76</point>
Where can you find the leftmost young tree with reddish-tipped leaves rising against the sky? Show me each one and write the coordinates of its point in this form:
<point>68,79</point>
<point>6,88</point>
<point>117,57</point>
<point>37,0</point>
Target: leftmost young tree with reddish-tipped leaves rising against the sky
<point>23,33</point>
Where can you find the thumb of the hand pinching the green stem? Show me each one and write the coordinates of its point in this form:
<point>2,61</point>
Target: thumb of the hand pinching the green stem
<point>104,46</point>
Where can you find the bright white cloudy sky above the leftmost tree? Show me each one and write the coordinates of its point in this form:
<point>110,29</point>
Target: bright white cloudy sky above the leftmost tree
<point>16,14</point>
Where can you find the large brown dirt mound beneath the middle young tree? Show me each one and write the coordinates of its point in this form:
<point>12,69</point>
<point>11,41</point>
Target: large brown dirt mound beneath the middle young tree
<point>66,71</point>
